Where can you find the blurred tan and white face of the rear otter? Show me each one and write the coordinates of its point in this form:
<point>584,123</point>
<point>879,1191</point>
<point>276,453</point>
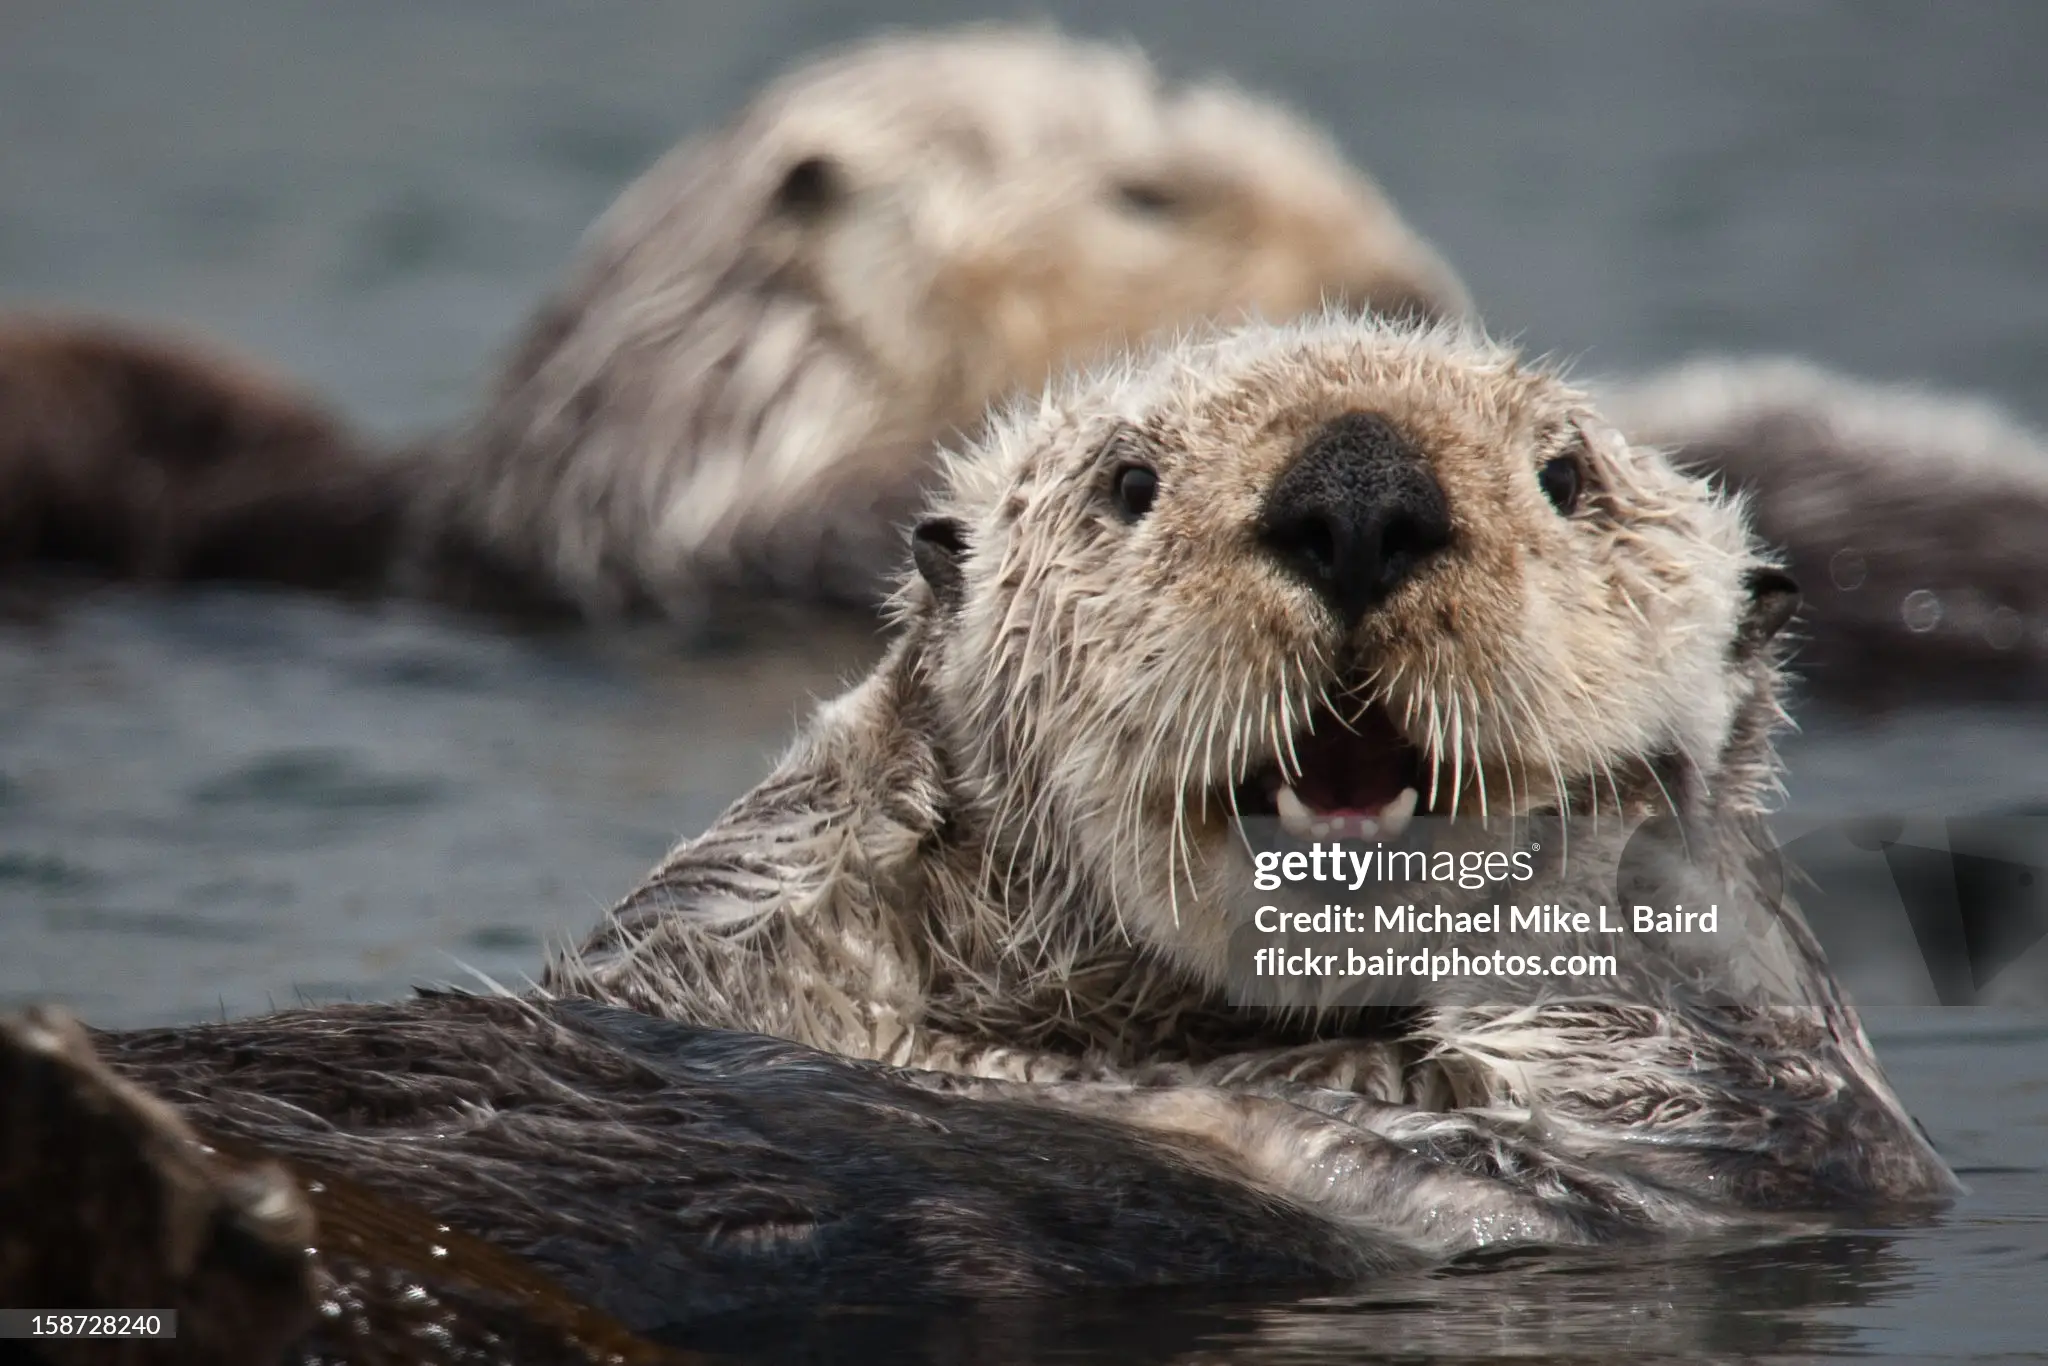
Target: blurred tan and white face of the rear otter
<point>988,210</point>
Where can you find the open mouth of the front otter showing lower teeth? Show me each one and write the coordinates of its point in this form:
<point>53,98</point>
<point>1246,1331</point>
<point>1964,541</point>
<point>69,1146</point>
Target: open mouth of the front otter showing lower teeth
<point>1345,779</point>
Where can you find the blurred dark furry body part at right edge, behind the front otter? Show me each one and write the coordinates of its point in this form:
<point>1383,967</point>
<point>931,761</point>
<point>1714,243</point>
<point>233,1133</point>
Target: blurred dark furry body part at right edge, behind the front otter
<point>1914,519</point>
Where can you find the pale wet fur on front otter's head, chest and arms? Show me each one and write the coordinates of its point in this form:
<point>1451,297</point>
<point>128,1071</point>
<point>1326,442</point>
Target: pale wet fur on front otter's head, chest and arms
<point>1007,853</point>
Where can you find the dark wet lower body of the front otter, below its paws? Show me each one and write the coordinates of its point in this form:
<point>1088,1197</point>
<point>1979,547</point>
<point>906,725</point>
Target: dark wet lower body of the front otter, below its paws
<point>665,1177</point>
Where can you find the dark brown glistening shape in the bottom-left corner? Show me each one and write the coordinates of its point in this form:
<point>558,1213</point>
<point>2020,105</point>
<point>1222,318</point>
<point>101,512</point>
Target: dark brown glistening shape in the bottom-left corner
<point>110,1199</point>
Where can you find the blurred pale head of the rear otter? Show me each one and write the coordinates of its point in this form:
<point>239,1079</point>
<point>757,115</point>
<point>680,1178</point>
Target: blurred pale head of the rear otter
<point>769,333</point>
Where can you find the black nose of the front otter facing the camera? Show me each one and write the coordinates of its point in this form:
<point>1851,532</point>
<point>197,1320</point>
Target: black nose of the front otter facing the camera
<point>1357,515</point>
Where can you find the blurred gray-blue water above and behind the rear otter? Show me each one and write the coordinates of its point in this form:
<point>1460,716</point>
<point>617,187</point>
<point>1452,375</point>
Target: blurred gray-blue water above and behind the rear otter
<point>374,194</point>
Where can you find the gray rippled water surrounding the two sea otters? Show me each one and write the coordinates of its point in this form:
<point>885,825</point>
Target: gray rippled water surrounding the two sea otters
<point>224,802</point>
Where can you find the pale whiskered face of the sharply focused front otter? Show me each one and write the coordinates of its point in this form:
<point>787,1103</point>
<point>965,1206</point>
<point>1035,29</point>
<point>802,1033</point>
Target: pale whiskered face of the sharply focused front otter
<point>1338,574</point>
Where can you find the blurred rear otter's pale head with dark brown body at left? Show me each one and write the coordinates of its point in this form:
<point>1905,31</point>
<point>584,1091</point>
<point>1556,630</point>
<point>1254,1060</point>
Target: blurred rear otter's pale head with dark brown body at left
<point>740,382</point>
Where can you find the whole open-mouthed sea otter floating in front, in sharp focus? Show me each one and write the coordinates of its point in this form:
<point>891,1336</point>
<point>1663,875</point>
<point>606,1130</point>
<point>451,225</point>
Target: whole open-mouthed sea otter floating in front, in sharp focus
<point>1181,611</point>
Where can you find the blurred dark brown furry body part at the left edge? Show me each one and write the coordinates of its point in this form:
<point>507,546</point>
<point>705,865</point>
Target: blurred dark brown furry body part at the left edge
<point>161,460</point>
